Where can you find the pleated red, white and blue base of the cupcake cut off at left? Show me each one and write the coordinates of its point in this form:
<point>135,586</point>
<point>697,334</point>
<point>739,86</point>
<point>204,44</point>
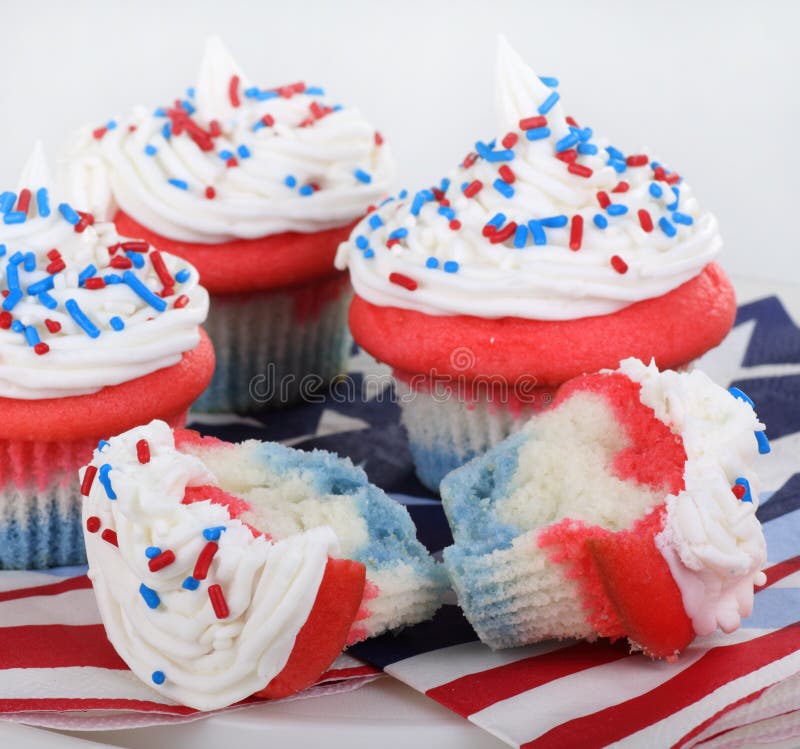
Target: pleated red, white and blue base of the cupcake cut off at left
<point>40,501</point>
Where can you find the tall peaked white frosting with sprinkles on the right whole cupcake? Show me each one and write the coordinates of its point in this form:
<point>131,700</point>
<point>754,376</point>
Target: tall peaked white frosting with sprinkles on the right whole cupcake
<point>458,270</point>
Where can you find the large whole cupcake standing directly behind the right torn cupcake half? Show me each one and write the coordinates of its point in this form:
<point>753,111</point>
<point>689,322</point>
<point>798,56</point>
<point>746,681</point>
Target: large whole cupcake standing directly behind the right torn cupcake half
<point>546,254</point>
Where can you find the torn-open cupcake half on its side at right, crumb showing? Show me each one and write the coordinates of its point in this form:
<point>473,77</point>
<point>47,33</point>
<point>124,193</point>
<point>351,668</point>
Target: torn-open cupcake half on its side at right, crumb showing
<point>637,487</point>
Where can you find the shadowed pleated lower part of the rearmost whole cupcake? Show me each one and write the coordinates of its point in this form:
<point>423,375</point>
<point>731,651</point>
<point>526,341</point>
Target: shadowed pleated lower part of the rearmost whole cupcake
<point>275,348</point>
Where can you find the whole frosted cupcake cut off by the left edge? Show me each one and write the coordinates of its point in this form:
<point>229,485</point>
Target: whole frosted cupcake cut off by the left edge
<point>97,334</point>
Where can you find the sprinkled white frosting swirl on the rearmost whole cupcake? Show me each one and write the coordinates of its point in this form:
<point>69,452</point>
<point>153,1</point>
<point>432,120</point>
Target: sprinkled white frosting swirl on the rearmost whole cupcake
<point>269,190</point>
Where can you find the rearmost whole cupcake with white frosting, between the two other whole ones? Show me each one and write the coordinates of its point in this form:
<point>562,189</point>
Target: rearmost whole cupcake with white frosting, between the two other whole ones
<point>256,188</point>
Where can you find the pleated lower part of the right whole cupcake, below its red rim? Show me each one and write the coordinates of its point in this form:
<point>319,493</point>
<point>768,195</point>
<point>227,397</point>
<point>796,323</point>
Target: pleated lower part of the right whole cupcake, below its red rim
<point>446,432</point>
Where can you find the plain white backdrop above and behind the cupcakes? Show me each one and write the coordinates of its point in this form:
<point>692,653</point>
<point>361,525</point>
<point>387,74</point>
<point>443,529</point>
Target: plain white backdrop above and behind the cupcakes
<point>710,87</point>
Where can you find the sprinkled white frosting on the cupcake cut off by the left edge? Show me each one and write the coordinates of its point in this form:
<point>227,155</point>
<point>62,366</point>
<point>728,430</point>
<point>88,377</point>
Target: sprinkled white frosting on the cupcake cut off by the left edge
<point>128,336</point>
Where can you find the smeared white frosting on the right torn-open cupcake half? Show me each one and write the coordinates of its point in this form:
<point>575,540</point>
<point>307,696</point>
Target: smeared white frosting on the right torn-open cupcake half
<point>712,540</point>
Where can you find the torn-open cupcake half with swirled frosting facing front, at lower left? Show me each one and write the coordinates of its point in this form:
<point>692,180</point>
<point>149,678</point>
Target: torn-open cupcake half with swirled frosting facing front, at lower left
<point>223,571</point>
